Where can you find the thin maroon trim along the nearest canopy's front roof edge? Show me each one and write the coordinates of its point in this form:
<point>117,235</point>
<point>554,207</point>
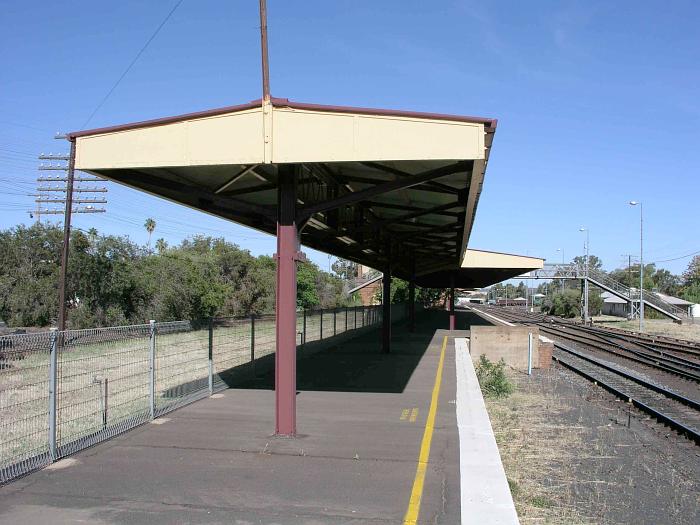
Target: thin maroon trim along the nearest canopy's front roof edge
<point>283,102</point>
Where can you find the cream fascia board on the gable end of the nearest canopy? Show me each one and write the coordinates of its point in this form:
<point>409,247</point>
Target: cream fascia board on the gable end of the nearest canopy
<point>280,134</point>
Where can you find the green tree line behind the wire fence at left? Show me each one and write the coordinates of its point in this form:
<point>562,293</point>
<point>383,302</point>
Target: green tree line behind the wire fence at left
<point>113,281</point>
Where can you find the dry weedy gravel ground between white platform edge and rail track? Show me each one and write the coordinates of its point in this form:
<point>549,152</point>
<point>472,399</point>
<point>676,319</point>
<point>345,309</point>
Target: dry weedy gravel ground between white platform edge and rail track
<point>571,458</point>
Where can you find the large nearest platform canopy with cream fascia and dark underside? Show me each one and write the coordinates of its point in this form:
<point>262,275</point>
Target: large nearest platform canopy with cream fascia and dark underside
<point>379,187</point>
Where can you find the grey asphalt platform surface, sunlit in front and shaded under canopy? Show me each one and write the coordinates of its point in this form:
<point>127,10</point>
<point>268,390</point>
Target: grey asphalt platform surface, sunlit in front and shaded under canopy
<point>362,416</point>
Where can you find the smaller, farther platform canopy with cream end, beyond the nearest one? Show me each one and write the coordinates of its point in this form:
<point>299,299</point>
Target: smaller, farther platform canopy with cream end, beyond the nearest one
<point>482,268</point>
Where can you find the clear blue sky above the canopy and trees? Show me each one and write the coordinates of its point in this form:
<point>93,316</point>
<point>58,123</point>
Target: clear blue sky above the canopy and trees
<point>598,102</point>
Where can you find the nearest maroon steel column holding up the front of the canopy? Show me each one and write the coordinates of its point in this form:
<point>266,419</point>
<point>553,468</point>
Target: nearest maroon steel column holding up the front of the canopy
<point>285,305</point>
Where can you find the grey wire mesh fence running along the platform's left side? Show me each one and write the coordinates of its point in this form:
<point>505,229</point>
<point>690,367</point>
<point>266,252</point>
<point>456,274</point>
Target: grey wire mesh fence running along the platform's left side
<point>61,392</point>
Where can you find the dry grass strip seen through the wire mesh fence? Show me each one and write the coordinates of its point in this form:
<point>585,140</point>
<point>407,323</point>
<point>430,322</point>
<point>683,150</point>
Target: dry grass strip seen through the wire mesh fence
<point>120,357</point>
